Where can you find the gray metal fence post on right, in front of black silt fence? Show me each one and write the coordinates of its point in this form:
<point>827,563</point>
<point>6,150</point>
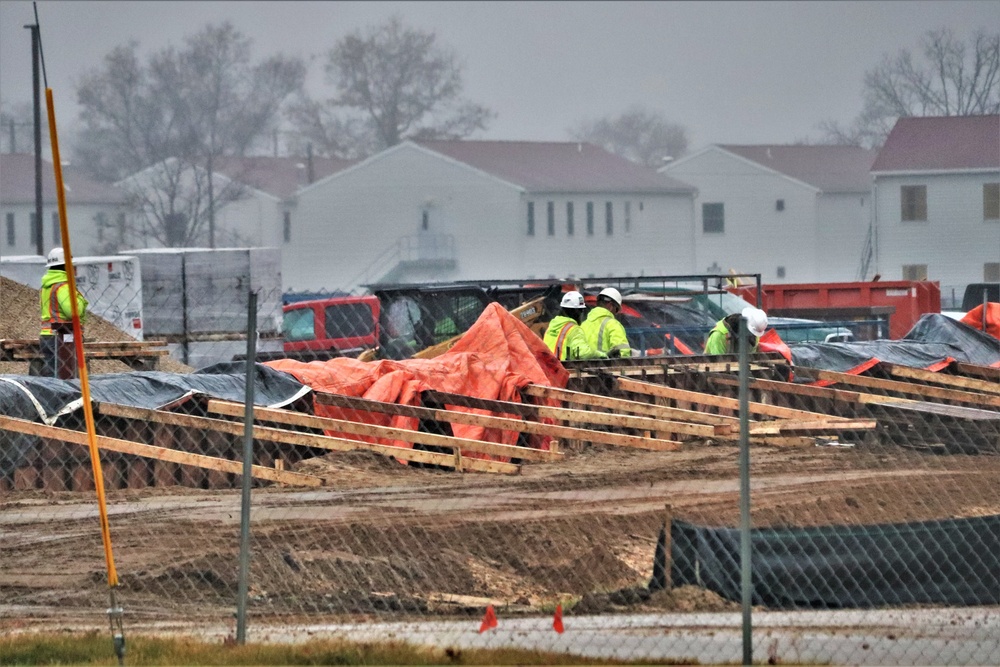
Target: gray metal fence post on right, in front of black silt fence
<point>745,573</point>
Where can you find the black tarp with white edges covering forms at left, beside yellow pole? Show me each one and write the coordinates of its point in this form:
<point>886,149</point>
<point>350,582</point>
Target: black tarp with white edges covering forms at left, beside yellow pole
<point>45,399</point>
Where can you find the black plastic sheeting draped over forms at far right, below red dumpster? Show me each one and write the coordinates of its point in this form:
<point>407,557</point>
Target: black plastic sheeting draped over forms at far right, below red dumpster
<point>932,340</point>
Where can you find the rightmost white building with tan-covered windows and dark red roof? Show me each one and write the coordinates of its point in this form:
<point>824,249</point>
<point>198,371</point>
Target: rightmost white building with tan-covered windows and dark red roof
<point>937,201</point>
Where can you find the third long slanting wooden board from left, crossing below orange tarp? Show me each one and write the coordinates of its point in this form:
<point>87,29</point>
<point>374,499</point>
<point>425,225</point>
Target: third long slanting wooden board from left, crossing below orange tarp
<point>378,431</point>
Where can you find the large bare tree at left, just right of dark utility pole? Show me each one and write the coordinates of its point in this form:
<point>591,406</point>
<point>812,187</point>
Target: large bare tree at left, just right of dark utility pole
<point>188,106</point>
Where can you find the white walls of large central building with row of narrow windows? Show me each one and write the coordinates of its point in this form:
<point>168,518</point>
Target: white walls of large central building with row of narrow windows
<point>347,229</point>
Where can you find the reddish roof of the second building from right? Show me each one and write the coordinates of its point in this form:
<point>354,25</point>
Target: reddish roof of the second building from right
<point>829,168</point>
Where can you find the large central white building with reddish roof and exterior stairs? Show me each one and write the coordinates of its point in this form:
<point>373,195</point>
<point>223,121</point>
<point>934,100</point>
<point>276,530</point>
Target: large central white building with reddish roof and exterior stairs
<point>456,210</point>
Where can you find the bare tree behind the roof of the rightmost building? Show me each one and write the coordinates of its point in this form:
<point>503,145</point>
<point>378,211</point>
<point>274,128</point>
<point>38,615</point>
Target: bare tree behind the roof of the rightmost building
<point>956,78</point>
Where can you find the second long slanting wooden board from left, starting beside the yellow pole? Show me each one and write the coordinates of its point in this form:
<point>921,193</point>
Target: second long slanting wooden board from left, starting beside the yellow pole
<point>304,439</point>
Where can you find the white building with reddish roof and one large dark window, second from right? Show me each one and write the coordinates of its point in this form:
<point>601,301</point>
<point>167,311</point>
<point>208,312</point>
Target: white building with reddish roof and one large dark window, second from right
<point>791,213</point>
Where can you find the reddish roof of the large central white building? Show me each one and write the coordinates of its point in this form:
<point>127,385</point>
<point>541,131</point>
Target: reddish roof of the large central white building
<point>540,166</point>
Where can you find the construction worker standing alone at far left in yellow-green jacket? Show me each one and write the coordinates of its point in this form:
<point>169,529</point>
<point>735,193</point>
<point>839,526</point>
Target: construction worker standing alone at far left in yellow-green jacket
<point>57,318</point>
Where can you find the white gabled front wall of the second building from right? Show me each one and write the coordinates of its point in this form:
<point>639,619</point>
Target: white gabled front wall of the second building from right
<point>757,238</point>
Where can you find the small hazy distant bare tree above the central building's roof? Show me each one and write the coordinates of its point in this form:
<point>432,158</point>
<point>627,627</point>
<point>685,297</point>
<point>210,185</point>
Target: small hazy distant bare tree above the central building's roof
<point>639,134</point>
